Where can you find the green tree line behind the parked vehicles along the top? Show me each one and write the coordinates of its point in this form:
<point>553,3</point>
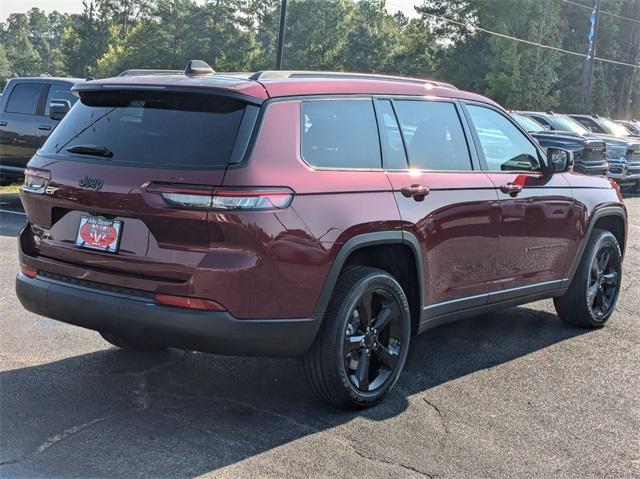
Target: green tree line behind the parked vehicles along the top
<point>443,43</point>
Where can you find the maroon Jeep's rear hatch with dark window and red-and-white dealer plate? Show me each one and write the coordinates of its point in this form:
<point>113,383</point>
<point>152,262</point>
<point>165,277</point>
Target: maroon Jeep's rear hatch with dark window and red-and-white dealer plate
<point>106,175</point>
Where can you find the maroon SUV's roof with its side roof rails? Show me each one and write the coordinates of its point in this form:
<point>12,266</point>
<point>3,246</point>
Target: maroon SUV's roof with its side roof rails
<point>261,86</point>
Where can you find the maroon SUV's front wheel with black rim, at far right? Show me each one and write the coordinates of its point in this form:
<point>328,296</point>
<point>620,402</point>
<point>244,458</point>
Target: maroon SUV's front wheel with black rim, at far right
<point>591,298</point>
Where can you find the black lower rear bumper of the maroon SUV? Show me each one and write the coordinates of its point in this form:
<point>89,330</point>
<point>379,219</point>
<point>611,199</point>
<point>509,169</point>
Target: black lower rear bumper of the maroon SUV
<point>137,316</point>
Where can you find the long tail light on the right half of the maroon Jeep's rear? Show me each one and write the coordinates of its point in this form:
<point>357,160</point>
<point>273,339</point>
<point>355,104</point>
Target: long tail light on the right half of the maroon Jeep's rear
<point>223,199</point>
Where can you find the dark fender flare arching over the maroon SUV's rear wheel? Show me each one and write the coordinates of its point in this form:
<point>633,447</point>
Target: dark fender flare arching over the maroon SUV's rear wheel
<point>360,241</point>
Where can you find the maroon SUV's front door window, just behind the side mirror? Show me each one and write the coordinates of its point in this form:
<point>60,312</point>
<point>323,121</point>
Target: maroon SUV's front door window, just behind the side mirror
<point>505,147</point>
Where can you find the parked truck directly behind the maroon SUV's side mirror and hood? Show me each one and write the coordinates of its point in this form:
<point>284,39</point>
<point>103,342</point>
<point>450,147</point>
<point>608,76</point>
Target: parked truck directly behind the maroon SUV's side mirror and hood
<point>589,154</point>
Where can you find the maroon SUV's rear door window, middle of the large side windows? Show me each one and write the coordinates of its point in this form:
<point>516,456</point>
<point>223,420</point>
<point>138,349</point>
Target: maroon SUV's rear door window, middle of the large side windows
<point>433,135</point>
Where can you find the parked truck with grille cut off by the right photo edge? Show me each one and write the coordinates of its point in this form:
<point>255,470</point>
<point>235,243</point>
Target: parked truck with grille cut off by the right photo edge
<point>623,154</point>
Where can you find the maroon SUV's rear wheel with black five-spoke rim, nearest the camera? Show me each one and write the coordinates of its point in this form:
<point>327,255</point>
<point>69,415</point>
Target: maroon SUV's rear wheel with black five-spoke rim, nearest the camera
<point>360,350</point>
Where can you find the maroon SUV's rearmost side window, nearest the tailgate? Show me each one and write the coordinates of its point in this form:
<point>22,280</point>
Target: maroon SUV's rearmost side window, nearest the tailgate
<point>340,134</point>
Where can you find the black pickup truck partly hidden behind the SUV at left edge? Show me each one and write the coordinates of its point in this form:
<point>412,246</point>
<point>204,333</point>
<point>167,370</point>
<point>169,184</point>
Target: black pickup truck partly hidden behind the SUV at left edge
<point>30,108</point>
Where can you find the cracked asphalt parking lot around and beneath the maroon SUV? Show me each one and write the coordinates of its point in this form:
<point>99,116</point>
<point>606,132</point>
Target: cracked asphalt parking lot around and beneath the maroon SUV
<point>514,394</point>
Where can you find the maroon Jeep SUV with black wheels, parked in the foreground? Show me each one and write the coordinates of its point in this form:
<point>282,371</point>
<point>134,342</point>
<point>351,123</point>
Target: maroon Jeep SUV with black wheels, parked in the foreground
<point>322,215</point>
